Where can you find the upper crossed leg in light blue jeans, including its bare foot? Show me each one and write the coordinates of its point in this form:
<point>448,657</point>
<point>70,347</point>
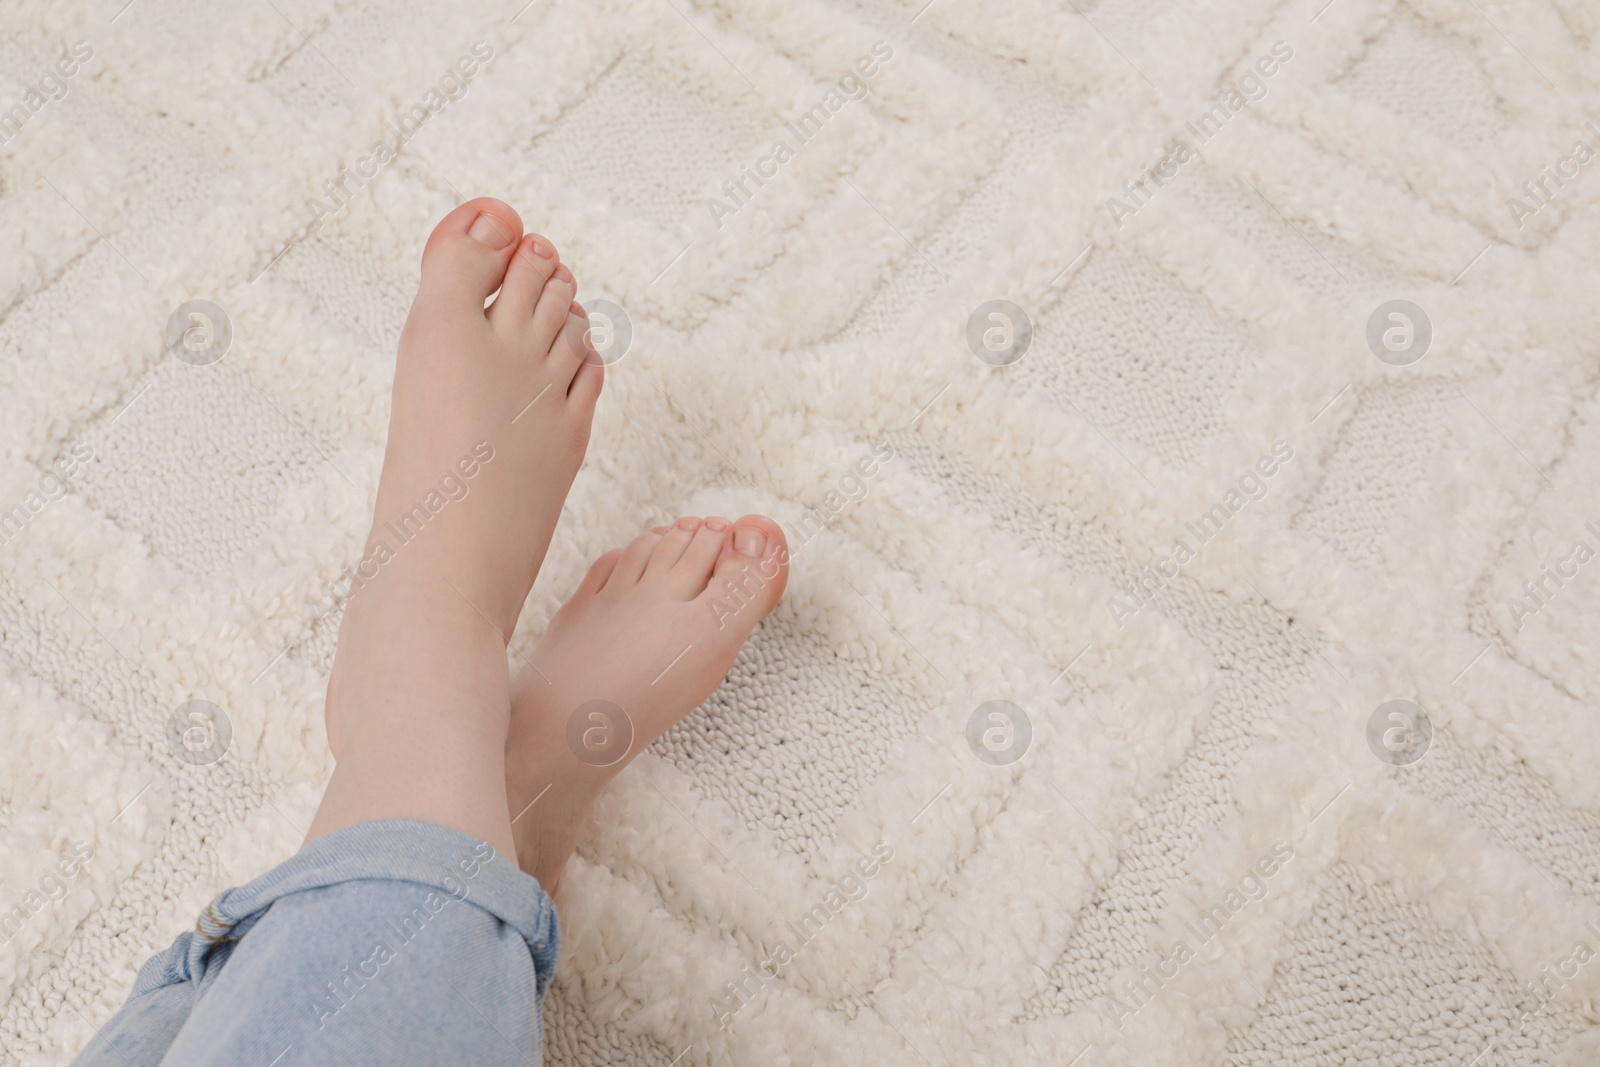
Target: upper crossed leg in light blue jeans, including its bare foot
<point>399,933</point>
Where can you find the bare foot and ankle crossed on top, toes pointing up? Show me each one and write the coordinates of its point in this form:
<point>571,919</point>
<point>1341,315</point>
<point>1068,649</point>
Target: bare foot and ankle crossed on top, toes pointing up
<point>490,422</point>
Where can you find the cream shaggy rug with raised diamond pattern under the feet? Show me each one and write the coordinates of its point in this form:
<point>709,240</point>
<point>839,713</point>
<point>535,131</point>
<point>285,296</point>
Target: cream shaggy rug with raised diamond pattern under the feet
<point>1185,417</point>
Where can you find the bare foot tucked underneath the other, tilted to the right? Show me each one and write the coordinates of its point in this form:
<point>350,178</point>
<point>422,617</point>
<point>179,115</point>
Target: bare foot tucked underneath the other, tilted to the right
<point>647,637</point>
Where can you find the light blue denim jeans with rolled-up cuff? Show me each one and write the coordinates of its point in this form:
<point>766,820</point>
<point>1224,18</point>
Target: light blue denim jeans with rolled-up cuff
<point>386,943</point>
